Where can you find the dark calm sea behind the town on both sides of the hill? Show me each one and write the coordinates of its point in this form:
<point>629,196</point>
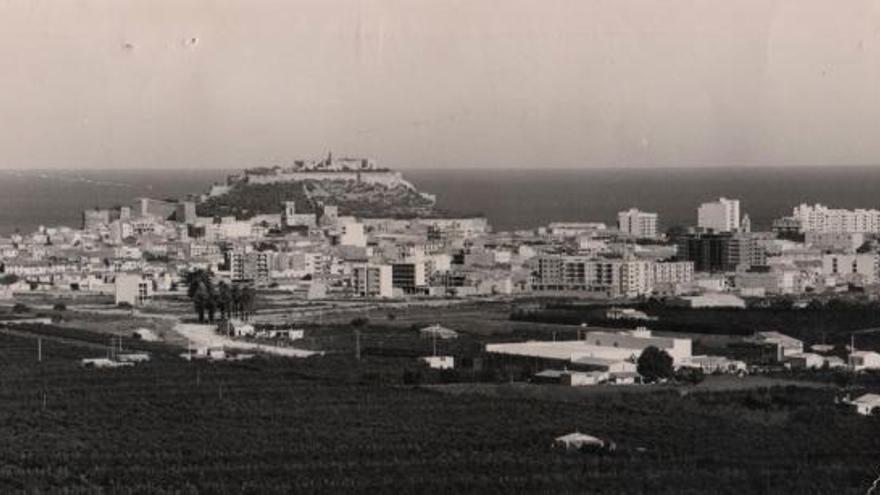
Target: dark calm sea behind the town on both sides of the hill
<point>510,199</point>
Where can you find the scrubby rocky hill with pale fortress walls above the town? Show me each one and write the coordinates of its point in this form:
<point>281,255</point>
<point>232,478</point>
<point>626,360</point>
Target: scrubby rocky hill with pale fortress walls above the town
<point>353,198</point>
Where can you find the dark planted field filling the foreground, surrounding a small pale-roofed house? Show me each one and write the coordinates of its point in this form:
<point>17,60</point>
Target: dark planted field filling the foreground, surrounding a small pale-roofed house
<point>335,424</point>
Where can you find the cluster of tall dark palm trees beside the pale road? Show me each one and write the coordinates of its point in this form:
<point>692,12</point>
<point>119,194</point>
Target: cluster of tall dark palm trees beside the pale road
<point>230,300</point>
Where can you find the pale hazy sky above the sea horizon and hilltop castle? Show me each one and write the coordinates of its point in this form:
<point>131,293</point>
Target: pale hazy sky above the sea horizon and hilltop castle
<point>439,83</point>
